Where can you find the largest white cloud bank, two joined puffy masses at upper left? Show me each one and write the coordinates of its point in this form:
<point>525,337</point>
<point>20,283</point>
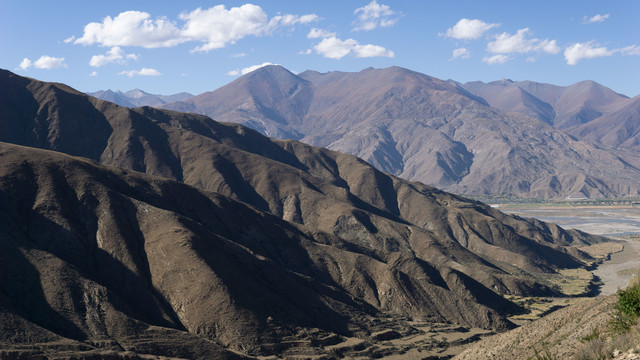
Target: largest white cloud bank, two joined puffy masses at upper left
<point>215,27</point>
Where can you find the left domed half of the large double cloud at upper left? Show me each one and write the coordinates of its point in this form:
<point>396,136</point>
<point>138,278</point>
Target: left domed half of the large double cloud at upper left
<point>132,28</point>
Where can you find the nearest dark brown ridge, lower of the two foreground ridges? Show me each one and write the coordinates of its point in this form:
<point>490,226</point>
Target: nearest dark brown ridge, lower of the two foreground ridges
<point>108,256</point>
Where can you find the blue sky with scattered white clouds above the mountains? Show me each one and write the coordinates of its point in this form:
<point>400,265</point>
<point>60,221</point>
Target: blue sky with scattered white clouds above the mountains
<point>166,47</point>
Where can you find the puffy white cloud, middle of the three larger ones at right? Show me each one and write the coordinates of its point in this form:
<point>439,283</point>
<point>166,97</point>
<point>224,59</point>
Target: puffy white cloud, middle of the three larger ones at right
<point>519,43</point>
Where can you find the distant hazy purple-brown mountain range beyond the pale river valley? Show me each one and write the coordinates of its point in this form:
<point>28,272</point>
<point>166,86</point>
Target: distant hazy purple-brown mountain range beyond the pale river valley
<point>522,139</point>
